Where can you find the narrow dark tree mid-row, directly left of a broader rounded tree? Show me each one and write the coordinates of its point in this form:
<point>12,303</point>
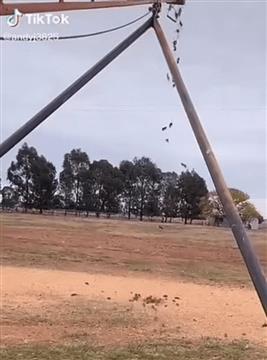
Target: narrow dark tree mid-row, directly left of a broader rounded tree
<point>128,171</point>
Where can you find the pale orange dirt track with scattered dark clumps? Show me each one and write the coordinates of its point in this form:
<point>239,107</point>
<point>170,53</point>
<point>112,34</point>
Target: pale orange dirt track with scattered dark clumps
<point>197,310</point>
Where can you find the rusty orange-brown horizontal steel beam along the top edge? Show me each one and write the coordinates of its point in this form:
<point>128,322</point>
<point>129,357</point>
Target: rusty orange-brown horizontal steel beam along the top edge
<point>28,8</point>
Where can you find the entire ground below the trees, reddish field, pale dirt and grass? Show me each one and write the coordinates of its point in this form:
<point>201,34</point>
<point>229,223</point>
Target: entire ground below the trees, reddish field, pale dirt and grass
<point>75,288</point>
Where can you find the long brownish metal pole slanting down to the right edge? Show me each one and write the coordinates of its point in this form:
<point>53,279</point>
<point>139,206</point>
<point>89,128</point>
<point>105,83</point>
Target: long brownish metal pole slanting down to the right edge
<point>244,244</point>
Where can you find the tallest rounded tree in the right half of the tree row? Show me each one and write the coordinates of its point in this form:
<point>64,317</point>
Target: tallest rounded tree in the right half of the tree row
<point>148,180</point>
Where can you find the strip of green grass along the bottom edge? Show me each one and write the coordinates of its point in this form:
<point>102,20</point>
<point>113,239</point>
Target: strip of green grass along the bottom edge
<point>206,350</point>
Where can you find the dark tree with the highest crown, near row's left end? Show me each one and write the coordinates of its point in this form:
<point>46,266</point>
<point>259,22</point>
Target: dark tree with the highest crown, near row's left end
<point>20,174</point>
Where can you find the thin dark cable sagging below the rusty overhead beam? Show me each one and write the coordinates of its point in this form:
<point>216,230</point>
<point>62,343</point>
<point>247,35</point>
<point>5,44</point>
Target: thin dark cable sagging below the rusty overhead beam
<point>79,36</point>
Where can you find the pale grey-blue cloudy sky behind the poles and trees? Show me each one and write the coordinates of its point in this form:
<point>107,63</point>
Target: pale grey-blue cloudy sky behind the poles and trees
<point>120,113</point>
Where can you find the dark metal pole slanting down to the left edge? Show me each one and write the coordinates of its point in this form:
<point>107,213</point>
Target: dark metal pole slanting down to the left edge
<point>72,89</point>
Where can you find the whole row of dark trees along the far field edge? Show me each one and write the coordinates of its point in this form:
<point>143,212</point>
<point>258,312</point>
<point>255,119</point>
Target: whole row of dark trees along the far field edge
<point>136,187</point>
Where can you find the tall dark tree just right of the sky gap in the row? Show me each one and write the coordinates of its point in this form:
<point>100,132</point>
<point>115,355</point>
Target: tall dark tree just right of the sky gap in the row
<point>74,165</point>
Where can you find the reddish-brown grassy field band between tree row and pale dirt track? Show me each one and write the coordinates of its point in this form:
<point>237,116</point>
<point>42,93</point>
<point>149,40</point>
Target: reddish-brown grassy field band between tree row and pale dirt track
<point>195,253</point>
